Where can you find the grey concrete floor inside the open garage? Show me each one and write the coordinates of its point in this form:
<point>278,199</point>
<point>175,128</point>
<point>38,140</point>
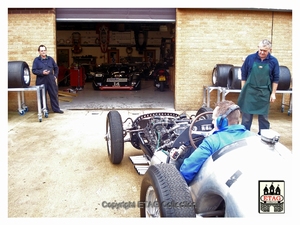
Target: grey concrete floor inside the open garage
<point>146,98</point>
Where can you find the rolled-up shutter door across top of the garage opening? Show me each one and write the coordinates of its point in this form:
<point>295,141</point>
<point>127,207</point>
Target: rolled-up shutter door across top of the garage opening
<point>116,14</point>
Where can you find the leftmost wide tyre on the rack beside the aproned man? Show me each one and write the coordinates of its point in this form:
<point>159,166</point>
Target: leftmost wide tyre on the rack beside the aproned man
<point>220,74</point>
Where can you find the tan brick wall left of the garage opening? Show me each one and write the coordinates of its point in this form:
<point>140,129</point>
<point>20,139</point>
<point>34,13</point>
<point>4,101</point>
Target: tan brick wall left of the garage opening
<point>27,29</point>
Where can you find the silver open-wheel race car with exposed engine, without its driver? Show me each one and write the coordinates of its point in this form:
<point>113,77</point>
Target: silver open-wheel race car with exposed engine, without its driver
<point>238,180</point>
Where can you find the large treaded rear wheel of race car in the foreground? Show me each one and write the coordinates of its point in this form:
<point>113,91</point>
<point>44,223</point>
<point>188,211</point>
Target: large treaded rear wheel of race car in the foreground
<point>164,193</point>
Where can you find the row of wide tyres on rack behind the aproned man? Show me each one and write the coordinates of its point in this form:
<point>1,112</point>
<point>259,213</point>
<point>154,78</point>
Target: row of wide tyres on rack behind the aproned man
<point>229,76</point>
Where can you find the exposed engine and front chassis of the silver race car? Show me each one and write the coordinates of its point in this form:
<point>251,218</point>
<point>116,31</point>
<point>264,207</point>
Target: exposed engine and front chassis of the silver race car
<point>163,137</point>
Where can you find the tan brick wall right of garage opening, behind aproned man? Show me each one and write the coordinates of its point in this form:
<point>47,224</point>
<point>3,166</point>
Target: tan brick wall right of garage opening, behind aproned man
<point>206,37</point>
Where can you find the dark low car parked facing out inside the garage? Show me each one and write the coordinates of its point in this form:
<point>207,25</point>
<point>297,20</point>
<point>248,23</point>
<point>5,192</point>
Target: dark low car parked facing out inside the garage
<point>116,76</point>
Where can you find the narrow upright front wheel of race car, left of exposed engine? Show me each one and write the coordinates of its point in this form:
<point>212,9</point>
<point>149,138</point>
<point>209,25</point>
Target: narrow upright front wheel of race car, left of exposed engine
<point>114,138</point>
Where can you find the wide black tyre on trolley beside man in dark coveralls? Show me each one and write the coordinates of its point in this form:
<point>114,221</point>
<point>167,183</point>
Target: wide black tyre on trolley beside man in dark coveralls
<point>18,74</point>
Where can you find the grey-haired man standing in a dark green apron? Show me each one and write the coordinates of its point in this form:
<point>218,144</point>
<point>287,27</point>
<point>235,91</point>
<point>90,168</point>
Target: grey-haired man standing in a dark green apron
<point>260,76</point>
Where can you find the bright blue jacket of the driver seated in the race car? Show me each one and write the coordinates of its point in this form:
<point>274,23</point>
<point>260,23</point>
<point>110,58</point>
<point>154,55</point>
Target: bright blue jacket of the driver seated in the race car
<point>225,136</point>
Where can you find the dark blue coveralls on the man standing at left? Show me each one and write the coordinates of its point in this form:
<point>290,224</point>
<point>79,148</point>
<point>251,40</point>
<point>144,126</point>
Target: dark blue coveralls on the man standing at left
<point>38,66</point>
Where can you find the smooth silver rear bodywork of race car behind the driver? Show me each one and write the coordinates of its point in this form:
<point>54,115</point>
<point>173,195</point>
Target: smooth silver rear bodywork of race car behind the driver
<point>232,176</point>
